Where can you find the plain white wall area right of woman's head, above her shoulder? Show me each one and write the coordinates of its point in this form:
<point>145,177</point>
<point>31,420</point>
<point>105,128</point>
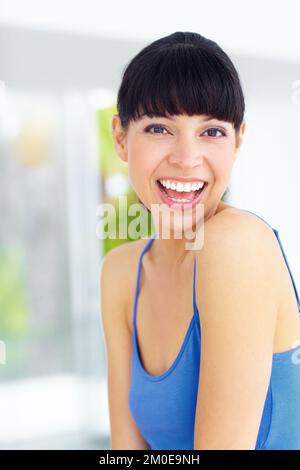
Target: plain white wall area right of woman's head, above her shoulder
<point>266,175</point>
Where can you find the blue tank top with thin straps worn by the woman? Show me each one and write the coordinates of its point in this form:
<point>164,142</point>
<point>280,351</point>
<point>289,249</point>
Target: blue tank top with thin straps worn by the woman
<point>164,406</point>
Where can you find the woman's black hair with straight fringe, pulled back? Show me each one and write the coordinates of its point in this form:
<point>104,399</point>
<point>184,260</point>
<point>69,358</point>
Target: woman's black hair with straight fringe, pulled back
<point>183,73</point>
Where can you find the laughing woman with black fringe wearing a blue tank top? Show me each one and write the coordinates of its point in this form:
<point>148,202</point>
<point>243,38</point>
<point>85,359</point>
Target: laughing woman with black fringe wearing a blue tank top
<point>180,120</point>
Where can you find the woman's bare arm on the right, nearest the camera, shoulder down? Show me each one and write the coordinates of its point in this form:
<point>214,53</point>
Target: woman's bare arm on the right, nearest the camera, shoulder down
<point>238,299</point>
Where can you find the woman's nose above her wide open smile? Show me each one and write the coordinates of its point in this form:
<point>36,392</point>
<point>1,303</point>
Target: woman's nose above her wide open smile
<point>186,154</point>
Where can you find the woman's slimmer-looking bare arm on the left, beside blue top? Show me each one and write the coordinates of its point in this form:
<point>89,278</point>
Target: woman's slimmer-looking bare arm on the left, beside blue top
<point>124,432</point>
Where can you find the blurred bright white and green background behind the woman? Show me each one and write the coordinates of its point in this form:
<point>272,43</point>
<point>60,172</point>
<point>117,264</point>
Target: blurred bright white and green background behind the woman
<point>60,68</point>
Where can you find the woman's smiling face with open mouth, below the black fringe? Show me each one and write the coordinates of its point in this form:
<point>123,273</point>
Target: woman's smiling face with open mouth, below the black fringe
<point>164,153</point>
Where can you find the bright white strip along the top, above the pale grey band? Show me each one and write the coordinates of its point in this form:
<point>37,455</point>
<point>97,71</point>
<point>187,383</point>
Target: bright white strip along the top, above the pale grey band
<point>262,28</point>
